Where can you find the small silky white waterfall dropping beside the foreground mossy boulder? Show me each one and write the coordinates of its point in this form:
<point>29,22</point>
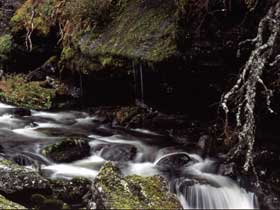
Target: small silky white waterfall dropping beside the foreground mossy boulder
<point>200,189</point>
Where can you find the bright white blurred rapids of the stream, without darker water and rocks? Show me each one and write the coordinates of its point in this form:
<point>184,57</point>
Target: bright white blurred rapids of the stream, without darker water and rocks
<point>210,191</point>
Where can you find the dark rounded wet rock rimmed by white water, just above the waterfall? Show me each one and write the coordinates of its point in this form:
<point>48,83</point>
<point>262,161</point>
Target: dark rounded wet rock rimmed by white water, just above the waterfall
<point>173,162</point>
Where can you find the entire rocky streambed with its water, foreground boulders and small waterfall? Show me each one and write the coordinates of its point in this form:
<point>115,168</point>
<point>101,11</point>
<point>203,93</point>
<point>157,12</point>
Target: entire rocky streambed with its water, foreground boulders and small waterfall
<point>73,159</point>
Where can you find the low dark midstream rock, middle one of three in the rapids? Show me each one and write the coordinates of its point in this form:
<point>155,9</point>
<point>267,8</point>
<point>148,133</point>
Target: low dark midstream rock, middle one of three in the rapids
<point>116,152</point>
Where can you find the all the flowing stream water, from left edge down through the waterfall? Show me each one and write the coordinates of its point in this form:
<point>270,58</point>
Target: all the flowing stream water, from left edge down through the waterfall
<point>194,179</point>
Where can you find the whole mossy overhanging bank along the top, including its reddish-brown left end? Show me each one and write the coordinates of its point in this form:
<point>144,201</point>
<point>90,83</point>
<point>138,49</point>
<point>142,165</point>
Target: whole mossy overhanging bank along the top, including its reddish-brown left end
<point>102,33</point>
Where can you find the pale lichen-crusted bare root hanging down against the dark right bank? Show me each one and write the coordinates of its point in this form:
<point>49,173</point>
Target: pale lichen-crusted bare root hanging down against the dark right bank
<point>243,94</point>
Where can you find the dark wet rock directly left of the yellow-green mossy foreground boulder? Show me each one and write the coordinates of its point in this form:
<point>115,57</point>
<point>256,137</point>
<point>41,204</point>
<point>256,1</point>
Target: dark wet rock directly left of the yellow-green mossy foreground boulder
<point>71,191</point>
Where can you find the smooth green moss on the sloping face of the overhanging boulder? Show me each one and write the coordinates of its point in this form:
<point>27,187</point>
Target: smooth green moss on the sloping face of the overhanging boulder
<point>137,32</point>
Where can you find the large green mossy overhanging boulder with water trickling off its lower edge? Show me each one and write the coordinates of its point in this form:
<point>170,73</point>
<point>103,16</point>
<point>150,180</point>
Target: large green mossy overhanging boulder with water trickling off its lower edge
<point>138,30</point>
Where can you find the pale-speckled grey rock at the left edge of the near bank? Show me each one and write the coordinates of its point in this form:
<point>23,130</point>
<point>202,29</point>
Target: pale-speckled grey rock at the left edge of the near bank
<point>19,183</point>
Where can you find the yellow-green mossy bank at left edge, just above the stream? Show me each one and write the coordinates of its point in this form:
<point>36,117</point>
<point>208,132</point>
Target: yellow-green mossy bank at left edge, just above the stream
<point>16,90</point>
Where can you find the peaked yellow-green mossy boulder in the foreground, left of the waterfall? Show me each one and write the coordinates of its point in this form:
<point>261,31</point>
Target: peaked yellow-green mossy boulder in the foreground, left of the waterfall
<point>114,191</point>
